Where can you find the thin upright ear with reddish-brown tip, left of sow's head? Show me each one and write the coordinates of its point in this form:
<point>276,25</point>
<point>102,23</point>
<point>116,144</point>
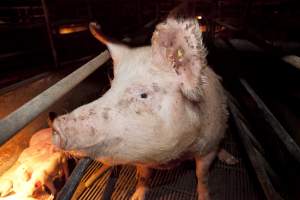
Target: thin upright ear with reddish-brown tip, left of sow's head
<point>116,49</point>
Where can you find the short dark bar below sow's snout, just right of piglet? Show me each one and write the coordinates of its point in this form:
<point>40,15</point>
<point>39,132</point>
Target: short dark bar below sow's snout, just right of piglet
<point>67,191</point>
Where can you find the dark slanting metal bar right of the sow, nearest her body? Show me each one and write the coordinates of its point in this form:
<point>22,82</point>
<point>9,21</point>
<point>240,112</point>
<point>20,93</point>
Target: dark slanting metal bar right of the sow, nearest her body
<point>258,163</point>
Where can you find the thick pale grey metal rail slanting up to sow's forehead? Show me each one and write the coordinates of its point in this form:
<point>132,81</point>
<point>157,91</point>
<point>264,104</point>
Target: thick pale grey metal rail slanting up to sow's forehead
<point>16,120</point>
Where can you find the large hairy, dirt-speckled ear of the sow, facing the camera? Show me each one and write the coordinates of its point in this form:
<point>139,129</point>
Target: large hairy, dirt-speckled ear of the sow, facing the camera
<point>177,44</point>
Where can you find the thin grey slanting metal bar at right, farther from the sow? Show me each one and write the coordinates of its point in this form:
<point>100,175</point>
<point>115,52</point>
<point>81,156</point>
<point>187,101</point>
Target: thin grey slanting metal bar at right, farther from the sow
<point>284,136</point>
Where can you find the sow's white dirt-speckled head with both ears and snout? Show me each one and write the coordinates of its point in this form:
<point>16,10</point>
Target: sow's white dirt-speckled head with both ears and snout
<point>153,106</point>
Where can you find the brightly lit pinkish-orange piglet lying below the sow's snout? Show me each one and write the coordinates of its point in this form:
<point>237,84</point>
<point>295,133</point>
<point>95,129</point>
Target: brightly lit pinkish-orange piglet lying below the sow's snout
<point>37,166</point>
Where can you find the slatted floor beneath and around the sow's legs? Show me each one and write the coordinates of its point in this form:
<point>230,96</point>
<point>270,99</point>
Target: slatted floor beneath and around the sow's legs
<point>226,182</point>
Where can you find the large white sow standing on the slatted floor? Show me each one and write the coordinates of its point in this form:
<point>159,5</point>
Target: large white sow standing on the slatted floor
<point>165,105</point>
